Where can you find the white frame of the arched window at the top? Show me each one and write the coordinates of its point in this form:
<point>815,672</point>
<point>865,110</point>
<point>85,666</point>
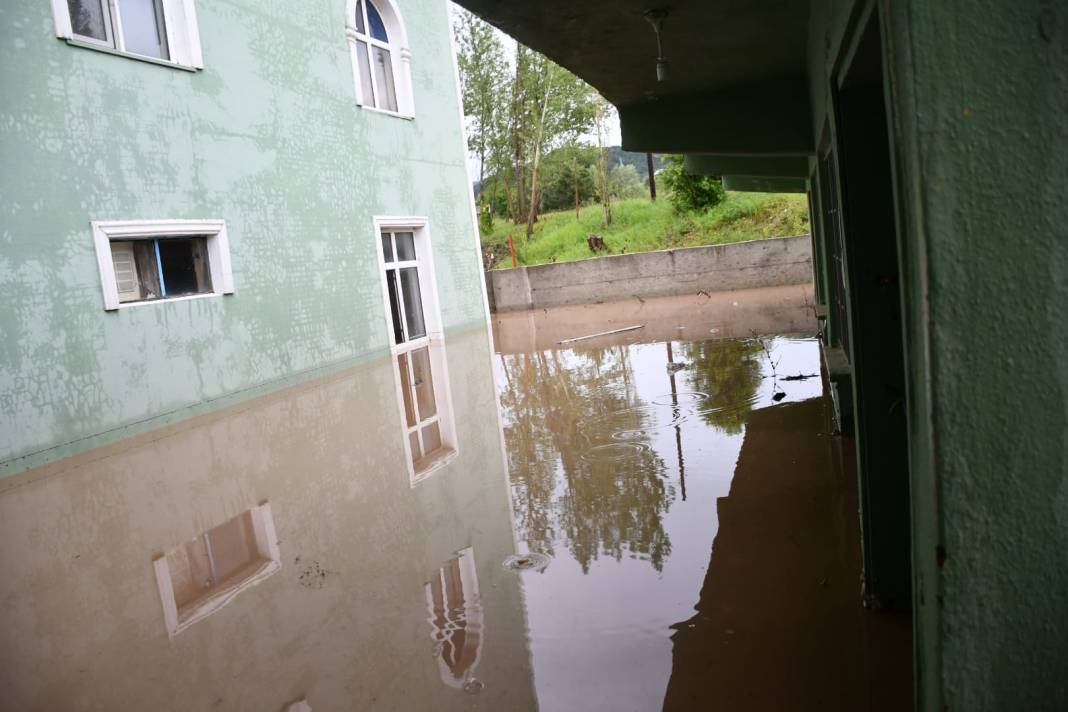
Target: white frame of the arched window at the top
<point>400,58</point>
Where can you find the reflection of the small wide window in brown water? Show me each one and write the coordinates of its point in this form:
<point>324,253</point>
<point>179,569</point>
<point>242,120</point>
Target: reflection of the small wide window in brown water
<point>201,576</point>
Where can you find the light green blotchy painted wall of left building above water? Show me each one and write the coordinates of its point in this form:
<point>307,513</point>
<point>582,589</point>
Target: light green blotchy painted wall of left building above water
<point>269,137</point>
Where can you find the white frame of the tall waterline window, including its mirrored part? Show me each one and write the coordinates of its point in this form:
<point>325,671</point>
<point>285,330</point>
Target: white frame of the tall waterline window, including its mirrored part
<point>435,340</point>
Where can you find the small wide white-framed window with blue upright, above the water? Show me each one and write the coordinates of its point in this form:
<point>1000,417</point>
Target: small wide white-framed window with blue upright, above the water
<point>159,260</point>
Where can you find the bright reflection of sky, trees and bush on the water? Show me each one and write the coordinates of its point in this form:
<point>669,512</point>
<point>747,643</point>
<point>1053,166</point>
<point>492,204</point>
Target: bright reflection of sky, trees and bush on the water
<point>618,454</point>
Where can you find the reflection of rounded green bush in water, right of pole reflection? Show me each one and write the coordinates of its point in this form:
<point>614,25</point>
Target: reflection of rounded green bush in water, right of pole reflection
<point>729,371</point>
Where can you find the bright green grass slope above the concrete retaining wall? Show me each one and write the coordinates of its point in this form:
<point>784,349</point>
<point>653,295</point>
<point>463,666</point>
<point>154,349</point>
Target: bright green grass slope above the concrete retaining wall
<point>641,226</point>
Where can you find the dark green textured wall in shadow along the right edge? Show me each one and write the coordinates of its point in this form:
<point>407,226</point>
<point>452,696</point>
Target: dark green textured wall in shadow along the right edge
<point>977,94</point>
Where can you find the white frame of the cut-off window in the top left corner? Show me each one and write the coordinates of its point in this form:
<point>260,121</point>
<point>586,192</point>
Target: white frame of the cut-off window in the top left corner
<point>180,25</point>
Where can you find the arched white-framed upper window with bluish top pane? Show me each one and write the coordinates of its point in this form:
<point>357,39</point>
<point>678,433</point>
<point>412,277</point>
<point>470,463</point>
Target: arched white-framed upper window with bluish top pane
<point>381,57</point>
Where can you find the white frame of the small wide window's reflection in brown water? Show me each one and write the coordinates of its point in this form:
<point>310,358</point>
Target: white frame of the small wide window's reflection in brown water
<point>266,539</point>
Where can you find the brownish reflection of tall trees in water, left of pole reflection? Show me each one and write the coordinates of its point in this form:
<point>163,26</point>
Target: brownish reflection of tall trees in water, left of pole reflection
<point>558,406</point>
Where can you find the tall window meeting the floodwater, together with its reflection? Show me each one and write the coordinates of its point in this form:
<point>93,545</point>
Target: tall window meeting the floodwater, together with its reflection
<point>418,345</point>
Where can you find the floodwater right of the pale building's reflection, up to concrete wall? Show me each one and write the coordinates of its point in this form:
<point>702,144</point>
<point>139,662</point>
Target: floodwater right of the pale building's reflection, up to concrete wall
<point>702,521</point>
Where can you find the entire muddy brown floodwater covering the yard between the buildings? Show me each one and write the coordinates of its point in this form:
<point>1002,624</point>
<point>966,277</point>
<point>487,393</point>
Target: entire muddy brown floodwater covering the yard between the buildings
<point>666,524</point>
